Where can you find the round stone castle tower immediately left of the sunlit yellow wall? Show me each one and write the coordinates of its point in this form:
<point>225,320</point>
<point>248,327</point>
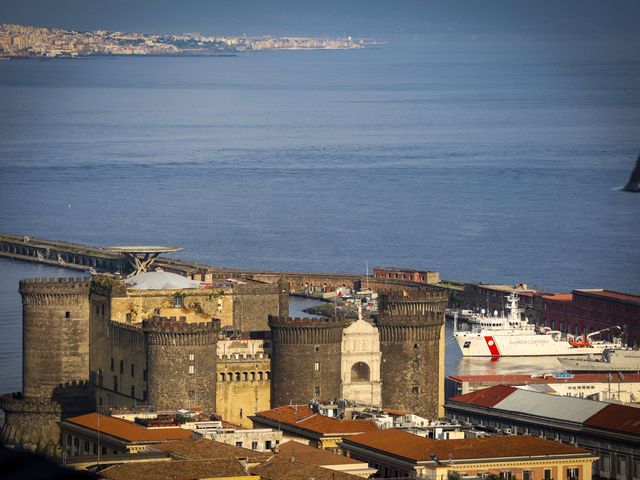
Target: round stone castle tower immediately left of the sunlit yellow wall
<point>181,363</point>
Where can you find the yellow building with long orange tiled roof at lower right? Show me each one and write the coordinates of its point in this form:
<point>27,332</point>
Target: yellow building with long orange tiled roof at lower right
<point>396,453</point>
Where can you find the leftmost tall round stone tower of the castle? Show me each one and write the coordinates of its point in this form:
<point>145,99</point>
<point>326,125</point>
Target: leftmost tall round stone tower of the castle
<point>55,333</point>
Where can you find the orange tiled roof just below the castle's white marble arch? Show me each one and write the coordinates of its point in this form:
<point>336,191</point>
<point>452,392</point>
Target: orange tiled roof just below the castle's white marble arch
<point>303,417</point>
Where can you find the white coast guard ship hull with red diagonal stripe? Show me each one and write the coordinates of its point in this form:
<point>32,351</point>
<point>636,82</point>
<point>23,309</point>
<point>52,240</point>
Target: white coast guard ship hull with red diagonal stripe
<point>498,343</point>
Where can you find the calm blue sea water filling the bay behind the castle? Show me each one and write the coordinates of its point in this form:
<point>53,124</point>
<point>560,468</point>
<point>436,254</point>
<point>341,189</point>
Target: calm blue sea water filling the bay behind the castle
<point>493,158</point>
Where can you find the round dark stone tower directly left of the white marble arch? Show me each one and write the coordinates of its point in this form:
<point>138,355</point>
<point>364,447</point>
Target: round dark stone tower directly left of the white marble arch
<point>305,359</point>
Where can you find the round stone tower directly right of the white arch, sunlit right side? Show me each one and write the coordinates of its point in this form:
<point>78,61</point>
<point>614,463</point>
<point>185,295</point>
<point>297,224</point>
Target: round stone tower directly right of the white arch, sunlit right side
<point>412,346</point>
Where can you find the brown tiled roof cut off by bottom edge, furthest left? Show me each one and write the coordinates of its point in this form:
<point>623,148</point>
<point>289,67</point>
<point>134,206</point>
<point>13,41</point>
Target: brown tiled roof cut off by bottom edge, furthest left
<point>177,470</point>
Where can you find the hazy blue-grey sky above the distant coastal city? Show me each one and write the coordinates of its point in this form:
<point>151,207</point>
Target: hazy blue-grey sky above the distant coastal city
<point>330,17</point>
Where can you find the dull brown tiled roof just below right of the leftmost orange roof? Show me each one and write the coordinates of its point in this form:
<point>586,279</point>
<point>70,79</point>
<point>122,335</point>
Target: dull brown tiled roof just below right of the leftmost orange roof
<point>205,449</point>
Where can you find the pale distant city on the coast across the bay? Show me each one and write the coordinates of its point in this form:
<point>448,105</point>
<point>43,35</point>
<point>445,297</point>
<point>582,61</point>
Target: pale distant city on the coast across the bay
<point>28,41</point>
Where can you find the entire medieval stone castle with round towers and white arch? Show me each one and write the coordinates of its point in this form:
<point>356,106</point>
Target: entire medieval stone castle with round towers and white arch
<point>226,346</point>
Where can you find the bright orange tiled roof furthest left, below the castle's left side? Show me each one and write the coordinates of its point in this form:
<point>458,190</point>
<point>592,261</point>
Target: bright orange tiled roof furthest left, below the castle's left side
<point>126,430</point>
